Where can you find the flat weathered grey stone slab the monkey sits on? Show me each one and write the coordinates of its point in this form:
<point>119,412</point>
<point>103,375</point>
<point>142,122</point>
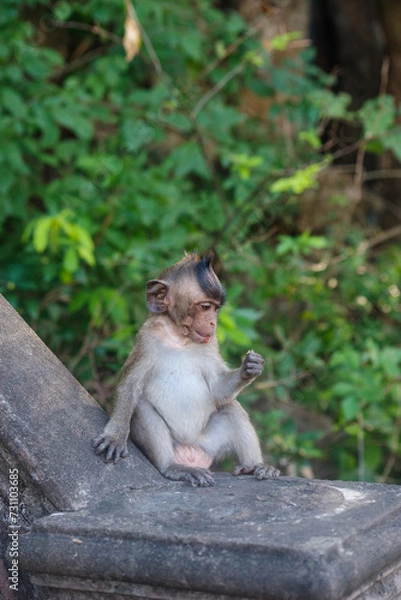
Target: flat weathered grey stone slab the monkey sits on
<point>283,539</point>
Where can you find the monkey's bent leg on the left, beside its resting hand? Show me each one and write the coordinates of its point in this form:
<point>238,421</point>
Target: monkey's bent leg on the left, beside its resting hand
<point>152,435</point>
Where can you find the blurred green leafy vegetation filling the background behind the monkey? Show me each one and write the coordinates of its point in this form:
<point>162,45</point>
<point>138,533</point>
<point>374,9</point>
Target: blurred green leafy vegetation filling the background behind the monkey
<point>268,131</point>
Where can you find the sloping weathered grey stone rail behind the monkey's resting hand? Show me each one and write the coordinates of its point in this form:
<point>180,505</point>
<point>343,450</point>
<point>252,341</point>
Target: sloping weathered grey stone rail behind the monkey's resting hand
<point>48,420</point>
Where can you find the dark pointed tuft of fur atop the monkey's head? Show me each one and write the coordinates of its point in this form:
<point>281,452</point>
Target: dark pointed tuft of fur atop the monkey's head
<point>198,266</point>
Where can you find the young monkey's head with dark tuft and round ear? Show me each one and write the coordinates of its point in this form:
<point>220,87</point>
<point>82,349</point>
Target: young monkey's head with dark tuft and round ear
<point>190,294</point>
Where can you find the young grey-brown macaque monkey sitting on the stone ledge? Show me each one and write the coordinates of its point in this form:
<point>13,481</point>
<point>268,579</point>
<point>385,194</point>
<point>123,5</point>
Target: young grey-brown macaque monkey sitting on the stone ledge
<point>177,397</point>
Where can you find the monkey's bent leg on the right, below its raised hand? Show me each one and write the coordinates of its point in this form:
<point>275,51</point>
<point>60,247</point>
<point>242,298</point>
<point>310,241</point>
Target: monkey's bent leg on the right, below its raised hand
<point>230,431</point>
